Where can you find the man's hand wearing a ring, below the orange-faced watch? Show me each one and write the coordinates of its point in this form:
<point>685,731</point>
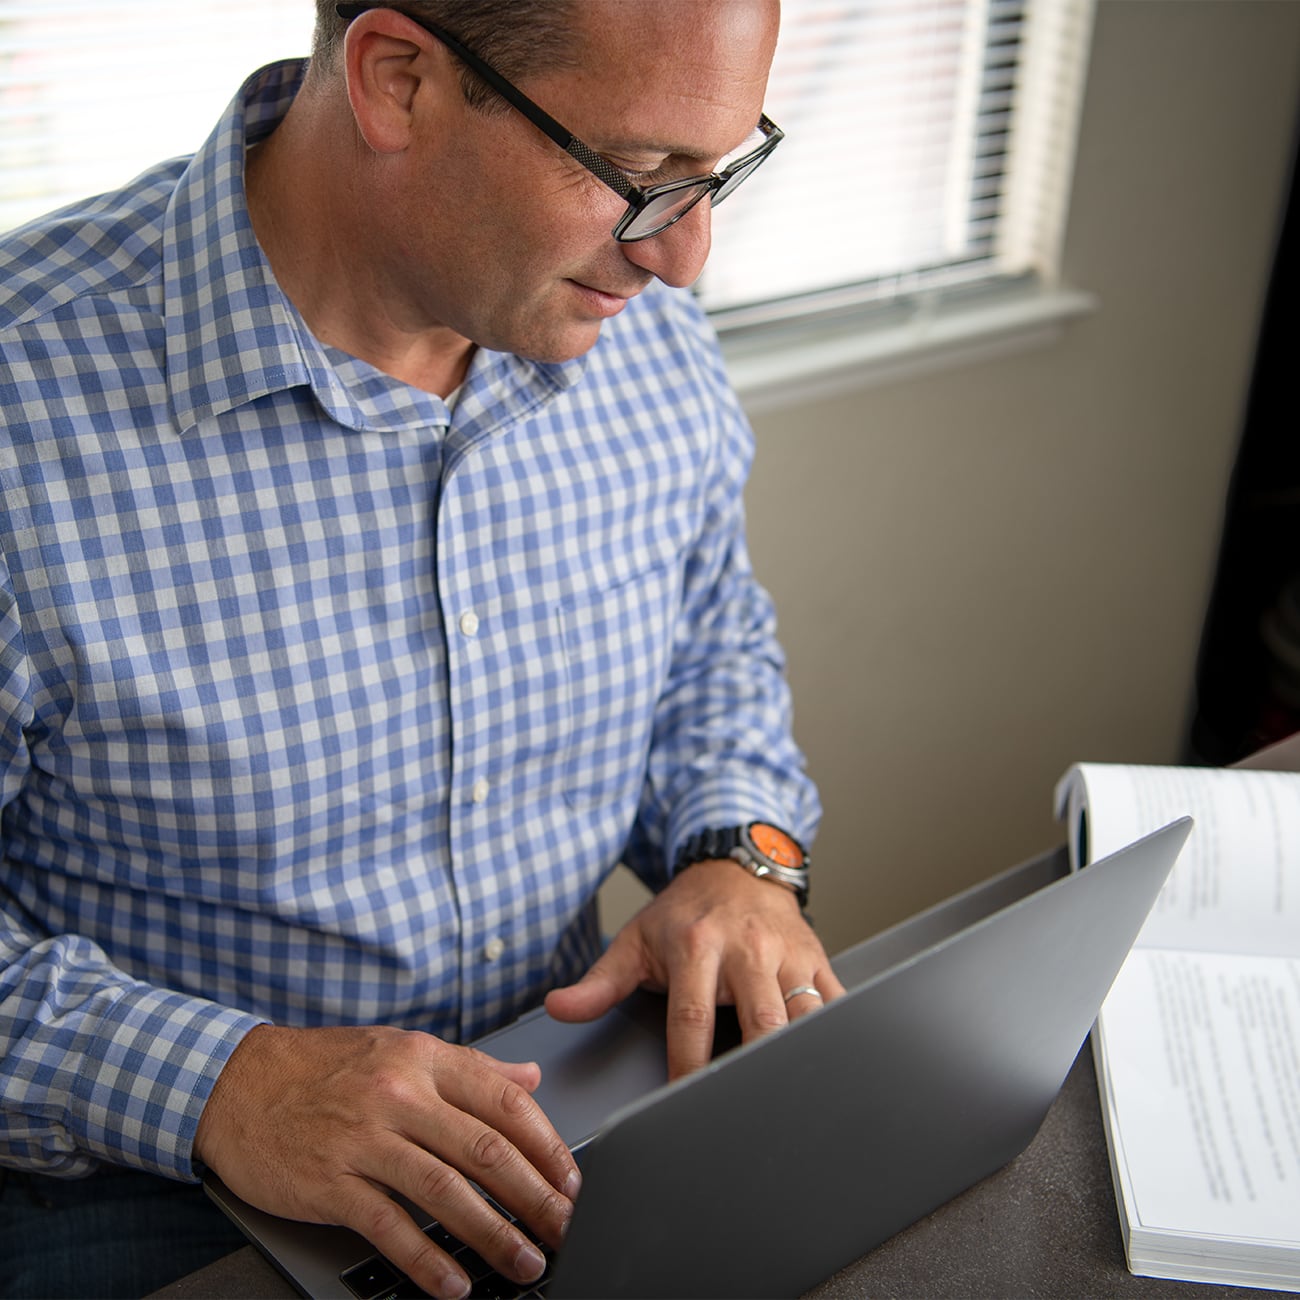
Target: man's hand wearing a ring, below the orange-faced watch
<point>716,937</point>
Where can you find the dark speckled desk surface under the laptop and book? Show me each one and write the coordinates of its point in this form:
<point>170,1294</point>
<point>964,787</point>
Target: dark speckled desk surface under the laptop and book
<point>1045,1227</point>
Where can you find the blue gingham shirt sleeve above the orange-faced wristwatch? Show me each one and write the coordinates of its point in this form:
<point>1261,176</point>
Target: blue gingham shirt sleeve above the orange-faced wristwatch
<point>723,751</point>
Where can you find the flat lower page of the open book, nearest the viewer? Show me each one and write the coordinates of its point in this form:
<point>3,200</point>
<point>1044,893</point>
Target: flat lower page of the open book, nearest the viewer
<point>1203,1080</point>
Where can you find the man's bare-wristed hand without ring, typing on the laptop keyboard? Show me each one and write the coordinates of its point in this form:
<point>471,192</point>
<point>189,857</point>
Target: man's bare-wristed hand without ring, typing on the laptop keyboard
<point>317,1124</point>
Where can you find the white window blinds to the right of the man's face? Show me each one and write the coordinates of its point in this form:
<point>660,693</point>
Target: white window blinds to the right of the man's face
<point>929,144</point>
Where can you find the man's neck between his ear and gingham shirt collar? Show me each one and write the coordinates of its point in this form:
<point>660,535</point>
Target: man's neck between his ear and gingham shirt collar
<point>306,209</point>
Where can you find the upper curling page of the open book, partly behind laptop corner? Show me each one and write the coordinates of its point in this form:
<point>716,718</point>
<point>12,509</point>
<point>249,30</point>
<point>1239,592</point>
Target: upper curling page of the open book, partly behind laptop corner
<point>1237,885</point>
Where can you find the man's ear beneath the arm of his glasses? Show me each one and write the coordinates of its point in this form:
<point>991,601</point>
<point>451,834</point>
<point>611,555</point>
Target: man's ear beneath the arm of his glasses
<point>393,68</point>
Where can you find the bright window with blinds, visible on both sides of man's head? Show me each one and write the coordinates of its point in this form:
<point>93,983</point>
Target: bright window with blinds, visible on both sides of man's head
<point>929,142</point>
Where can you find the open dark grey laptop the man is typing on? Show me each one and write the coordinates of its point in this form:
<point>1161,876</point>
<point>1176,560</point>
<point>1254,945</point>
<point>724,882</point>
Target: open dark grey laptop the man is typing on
<point>788,1159</point>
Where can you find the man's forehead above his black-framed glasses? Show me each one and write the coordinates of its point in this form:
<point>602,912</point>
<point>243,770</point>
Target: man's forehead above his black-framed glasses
<point>683,76</point>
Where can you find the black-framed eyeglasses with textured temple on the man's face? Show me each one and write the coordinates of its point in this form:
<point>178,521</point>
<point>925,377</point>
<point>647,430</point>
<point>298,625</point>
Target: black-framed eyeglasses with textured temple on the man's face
<point>651,209</point>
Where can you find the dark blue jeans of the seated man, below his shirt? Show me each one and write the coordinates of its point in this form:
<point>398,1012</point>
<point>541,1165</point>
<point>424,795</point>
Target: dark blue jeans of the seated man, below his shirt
<point>118,1233</point>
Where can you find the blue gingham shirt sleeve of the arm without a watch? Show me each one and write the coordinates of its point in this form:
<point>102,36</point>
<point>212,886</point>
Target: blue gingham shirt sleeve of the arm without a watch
<point>94,1065</point>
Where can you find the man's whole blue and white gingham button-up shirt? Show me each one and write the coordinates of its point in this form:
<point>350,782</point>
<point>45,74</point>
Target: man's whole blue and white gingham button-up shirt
<point>319,703</point>
